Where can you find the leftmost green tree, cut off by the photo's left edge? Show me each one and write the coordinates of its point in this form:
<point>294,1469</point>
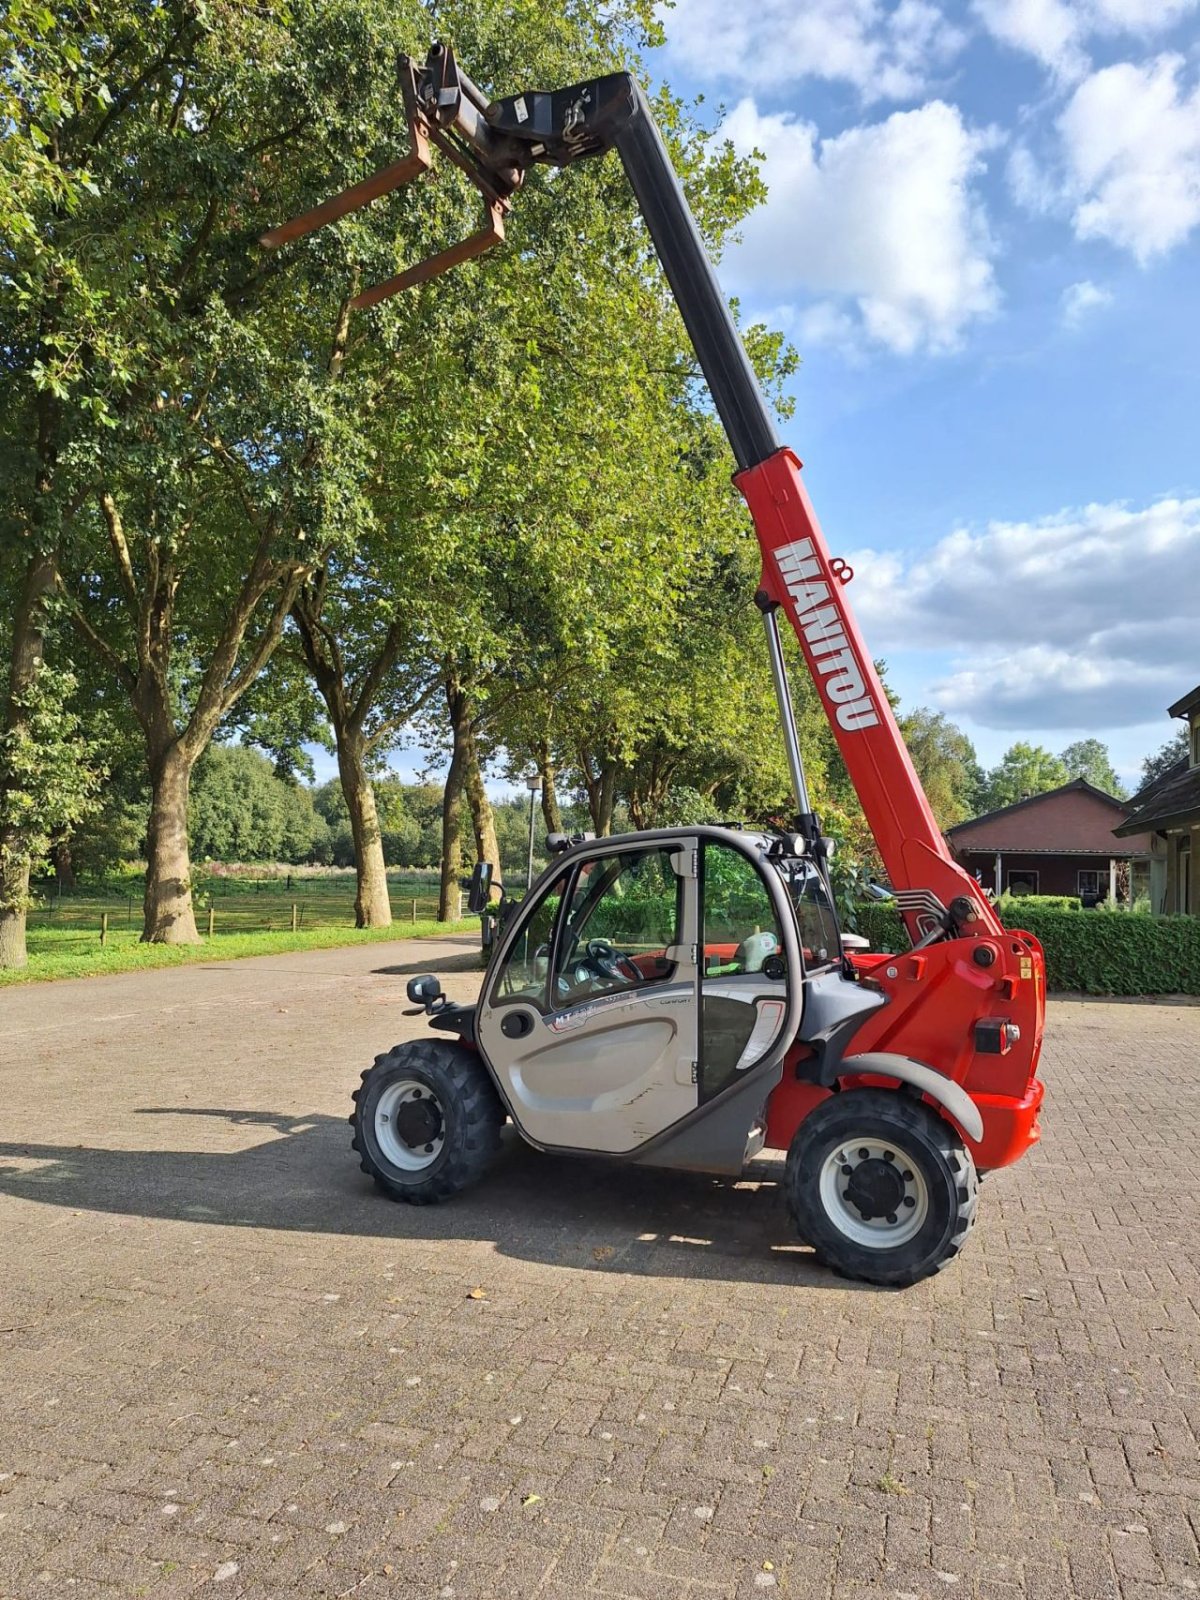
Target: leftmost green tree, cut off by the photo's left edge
<point>44,778</point>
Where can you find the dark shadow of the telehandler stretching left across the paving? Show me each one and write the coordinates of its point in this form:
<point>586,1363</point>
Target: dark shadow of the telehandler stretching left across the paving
<point>578,1214</point>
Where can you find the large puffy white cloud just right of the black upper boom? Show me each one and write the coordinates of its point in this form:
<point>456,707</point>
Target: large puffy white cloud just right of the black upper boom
<point>879,226</point>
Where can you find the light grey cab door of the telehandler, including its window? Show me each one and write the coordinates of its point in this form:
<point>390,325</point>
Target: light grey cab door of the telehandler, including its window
<point>591,1017</point>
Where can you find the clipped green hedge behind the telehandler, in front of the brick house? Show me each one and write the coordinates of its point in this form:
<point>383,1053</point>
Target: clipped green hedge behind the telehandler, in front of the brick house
<point>1097,953</point>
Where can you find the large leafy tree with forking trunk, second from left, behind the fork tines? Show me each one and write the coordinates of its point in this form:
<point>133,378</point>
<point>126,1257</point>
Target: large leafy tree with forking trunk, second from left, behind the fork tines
<point>183,446</point>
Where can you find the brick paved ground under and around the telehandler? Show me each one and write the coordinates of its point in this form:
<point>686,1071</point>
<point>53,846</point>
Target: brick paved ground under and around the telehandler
<point>230,1366</point>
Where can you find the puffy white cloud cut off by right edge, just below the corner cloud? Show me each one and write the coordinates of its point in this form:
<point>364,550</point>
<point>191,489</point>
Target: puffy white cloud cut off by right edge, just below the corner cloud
<point>1132,148</point>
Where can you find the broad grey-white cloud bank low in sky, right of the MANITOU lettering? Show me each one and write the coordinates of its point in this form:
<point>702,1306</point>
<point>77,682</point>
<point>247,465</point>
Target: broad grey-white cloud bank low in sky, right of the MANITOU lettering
<point>1074,622</point>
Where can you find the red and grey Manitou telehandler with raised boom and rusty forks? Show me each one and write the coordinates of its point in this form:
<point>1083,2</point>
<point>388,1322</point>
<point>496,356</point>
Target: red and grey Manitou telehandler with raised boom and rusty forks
<point>682,998</point>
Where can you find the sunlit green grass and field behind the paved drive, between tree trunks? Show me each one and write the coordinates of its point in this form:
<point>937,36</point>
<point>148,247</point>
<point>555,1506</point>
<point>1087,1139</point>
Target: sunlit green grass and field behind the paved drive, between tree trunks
<point>249,918</point>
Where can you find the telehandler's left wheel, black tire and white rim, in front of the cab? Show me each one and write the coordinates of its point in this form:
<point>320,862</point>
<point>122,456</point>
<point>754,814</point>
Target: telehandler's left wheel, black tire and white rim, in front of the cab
<point>463,1121</point>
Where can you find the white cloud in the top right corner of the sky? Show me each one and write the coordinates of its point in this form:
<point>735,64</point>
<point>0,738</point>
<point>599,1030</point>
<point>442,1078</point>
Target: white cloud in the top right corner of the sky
<point>1057,33</point>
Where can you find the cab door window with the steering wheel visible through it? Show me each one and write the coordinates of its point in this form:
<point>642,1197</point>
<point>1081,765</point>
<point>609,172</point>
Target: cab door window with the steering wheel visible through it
<point>622,924</point>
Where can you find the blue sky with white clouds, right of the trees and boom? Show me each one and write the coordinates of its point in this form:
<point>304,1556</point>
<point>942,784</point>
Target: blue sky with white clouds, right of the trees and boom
<point>982,236</point>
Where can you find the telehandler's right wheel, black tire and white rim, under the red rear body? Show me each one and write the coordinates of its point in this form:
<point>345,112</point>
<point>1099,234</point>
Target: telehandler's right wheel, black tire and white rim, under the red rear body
<point>929,1172</point>
